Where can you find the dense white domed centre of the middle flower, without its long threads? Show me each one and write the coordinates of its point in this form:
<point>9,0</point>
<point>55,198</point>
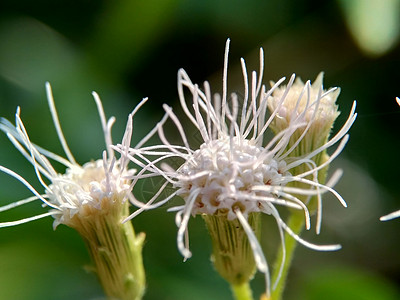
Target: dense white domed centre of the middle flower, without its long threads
<point>223,173</point>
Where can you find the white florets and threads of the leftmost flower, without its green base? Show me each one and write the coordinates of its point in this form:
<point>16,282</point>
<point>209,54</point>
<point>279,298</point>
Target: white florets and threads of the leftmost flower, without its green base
<point>82,190</point>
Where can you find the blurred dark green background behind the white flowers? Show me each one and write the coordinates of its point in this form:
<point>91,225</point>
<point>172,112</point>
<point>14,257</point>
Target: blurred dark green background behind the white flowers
<point>126,50</point>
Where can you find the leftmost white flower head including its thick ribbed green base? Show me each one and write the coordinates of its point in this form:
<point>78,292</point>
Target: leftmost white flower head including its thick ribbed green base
<point>92,199</point>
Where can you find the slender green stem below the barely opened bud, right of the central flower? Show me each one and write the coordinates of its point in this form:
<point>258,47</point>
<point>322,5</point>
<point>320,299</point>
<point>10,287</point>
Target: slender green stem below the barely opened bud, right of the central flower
<point>296,223</point>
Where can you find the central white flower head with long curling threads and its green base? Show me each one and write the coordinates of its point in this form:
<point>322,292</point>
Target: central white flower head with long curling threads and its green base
<point>235,174</point>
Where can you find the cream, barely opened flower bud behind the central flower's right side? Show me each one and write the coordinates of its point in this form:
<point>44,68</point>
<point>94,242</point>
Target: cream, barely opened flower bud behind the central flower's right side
<point>317,108</point>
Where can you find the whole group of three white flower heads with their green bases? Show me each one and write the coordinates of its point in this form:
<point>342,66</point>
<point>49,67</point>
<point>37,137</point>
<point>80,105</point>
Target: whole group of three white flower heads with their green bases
<point>258,155</point>
